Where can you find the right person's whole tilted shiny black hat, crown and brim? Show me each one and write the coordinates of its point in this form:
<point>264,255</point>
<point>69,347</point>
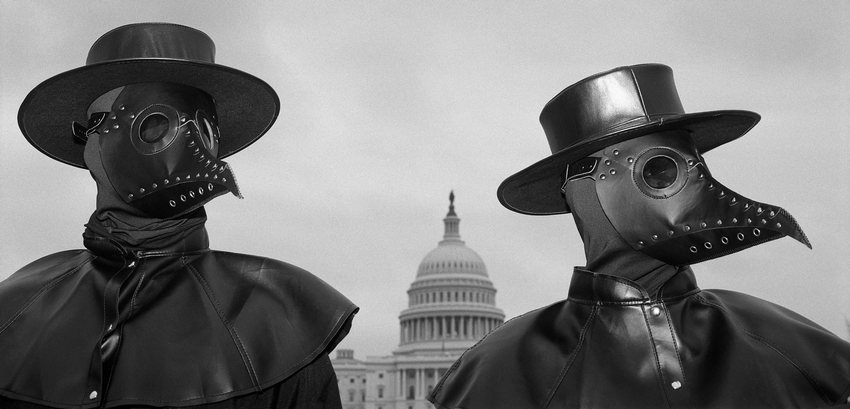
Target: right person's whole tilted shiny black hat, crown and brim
<point>602,110</point>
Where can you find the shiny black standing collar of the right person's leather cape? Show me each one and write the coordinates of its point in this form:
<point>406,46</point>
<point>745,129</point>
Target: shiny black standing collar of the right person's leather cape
<point>590,287</point>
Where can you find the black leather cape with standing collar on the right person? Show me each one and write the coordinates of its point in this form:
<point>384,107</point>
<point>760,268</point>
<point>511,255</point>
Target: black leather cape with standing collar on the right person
<point>611,345</point>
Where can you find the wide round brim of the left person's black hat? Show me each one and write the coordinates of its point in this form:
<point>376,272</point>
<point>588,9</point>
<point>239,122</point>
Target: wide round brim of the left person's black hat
<point>246,105</point>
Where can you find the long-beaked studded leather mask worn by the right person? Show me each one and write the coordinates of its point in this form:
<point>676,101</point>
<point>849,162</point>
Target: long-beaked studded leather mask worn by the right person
<point>693,219</point>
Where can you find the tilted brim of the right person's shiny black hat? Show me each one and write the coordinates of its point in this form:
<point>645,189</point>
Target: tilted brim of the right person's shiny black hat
<point>536,190</point>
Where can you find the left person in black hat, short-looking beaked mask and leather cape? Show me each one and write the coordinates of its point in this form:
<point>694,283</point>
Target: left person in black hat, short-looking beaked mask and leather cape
<point>147,314</point>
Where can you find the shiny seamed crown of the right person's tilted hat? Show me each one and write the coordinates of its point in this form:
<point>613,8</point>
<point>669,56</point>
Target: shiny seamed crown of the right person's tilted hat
<point>613,101</point>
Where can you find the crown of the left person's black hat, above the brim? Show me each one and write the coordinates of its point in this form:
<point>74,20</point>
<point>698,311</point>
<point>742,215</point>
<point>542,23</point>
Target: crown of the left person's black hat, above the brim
<point>153,40</point>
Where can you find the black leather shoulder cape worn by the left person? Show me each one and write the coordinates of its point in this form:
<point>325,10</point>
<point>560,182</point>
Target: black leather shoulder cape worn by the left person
<point>178,326</point>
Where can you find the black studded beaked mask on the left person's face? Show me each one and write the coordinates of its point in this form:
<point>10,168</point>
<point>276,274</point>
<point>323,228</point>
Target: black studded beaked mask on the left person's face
<point>157,144</point>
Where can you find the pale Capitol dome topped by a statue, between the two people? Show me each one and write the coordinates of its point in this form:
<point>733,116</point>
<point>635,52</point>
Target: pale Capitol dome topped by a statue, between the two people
<point>452,302</point>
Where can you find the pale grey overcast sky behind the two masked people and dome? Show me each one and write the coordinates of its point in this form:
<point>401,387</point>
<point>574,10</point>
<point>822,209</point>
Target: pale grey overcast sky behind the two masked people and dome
<point>386,106</point>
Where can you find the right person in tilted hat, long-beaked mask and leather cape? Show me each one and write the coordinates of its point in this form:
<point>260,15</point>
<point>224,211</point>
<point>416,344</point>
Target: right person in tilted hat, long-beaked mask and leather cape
<point>635,330</point>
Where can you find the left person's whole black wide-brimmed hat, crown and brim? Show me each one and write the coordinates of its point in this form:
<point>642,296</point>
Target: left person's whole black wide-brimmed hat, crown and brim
<point>139,53</point>
